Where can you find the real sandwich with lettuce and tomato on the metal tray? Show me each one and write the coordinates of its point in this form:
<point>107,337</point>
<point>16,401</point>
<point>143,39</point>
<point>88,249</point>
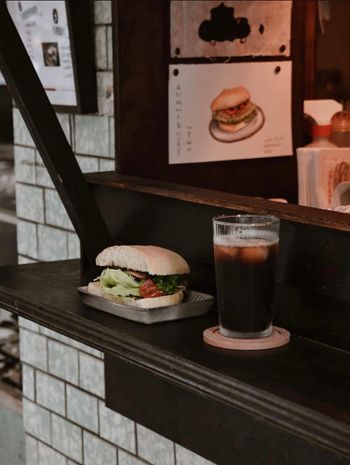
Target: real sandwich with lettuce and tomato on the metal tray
<point>144,276</point>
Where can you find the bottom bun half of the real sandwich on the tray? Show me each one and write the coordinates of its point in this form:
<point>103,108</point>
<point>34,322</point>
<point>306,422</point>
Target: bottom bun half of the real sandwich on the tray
<point>95,288</point>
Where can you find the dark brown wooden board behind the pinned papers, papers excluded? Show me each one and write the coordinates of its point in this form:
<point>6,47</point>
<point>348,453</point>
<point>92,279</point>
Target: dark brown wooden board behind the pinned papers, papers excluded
<point>141,69</point>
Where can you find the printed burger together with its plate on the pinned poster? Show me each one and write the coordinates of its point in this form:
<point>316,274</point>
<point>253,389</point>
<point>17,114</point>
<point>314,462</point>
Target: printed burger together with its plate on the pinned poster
<point>234,115</point>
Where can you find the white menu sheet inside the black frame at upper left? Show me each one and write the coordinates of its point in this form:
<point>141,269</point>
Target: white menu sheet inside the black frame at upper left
<point>43,28</point>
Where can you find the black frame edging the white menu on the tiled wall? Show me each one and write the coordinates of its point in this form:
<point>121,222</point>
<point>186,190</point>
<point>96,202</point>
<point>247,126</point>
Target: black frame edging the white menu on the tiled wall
<point>80,25</point>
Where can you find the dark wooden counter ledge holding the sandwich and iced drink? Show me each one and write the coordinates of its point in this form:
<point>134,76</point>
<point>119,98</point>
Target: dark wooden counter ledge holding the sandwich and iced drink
<point>287,406</point>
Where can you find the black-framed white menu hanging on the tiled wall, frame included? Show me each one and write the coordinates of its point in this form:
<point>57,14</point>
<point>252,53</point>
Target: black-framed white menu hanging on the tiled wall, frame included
<point>58,37</point>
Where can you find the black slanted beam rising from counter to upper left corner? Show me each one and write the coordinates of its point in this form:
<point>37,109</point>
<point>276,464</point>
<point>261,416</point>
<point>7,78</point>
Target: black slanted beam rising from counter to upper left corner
<point>50,140</point>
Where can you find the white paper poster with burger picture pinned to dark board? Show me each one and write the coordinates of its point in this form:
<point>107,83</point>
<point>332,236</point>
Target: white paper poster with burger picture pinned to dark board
<point>229,111</point>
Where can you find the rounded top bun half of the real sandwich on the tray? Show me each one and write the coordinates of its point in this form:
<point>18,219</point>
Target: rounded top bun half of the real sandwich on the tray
<point>147,258</point>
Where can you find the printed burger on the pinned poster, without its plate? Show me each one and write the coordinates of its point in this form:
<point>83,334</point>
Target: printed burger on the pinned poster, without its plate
<point>232,109</point>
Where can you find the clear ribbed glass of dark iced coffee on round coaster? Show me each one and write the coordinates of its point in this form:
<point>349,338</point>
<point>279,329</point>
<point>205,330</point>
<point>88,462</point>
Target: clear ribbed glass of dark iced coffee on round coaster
<point>245,251</point>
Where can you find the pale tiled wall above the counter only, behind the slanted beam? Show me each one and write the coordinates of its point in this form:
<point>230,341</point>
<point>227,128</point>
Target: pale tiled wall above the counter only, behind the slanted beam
<point>44,229</point>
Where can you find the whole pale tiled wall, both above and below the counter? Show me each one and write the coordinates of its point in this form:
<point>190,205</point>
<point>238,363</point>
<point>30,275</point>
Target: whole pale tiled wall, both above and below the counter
<point>65,418</point>
